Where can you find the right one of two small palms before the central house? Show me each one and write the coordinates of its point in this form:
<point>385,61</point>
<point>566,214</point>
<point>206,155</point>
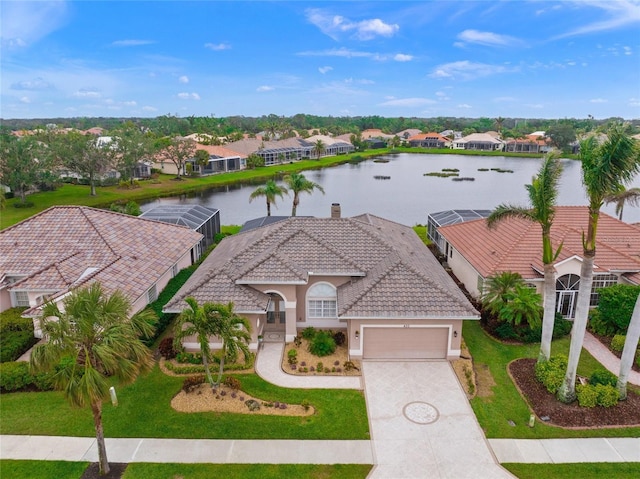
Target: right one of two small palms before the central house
<point>234,331</point>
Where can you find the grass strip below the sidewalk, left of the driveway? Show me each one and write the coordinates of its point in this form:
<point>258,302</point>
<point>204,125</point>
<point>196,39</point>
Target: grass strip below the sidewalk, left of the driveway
<point>246,471</point>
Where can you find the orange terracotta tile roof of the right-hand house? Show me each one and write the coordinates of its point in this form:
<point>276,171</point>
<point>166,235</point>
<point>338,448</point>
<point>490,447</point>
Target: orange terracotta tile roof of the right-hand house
<point>515,244</point>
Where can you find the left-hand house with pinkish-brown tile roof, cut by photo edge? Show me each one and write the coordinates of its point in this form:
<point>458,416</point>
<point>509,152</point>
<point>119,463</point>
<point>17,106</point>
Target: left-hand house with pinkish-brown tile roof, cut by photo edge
<point>66,247</point>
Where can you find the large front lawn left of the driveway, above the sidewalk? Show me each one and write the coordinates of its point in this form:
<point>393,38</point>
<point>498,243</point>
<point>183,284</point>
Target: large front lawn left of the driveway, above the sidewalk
<point>144,410</point>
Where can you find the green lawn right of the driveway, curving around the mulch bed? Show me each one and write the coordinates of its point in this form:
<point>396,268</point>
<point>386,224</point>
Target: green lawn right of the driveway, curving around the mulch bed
<point>506,404</point>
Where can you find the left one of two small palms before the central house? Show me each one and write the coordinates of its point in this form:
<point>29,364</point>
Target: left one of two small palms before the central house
<point>197,320</point>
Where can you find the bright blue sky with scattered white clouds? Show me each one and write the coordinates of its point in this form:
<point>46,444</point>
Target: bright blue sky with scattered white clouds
<point>533,59</point>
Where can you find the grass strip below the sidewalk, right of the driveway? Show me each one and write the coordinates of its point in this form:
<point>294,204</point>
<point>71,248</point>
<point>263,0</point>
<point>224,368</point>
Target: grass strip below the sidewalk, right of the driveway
<point>596,470</point>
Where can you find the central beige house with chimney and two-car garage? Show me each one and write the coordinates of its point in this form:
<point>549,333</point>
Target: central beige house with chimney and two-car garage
<point>370,277</point>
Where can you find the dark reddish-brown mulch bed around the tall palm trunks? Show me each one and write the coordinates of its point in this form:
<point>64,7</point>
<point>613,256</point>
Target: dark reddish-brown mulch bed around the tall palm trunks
<point>543,403</point>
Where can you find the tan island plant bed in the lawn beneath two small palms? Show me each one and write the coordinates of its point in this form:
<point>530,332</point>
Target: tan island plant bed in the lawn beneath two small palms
<point>225,399</point>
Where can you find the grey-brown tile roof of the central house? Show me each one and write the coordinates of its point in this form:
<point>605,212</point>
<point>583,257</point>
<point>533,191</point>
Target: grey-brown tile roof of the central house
<point>392,273</point>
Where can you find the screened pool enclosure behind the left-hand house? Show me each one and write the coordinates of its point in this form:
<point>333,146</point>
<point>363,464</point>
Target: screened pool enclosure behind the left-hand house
<point>205,221</point>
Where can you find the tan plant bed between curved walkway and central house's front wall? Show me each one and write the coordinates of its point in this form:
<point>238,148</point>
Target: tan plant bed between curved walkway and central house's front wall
<point>334,362</point>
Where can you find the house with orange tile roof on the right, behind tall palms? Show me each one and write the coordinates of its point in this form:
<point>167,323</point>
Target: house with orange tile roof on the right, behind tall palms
<point>475,253</point>
